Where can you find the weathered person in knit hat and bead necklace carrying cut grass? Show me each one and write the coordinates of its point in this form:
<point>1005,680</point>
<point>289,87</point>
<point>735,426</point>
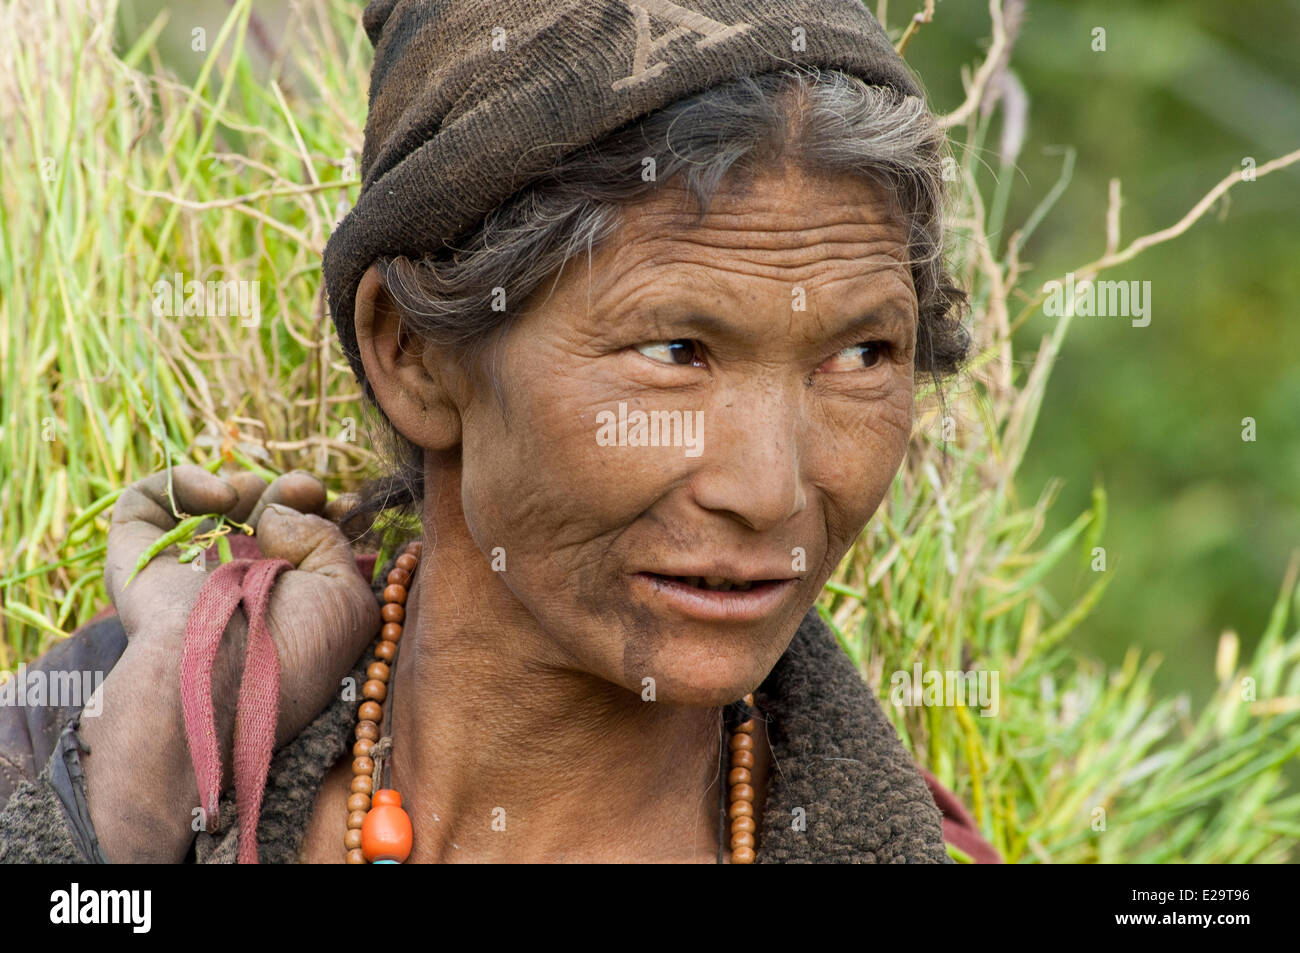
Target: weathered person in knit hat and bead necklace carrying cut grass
<point>640,293</point>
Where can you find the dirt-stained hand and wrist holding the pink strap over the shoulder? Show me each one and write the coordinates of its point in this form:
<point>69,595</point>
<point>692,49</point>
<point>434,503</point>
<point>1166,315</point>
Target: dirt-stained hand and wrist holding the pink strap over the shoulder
<point>140,778</point>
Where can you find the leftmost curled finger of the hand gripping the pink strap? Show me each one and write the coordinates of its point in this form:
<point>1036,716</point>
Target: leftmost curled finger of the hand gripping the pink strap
<point>144,514</point>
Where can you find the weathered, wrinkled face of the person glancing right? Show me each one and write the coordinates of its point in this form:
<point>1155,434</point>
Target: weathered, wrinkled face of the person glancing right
<point>770,352</point>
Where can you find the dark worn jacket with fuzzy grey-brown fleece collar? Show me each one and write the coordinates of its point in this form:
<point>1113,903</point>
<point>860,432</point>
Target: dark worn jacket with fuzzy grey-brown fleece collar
<point>838,766</point>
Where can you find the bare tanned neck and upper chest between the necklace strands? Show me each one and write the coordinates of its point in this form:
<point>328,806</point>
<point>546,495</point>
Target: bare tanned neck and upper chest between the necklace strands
<point>502,755</point>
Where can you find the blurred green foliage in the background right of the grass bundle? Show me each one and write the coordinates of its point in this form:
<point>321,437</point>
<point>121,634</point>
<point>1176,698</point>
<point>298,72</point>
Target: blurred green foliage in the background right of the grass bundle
<point>1202,523</point>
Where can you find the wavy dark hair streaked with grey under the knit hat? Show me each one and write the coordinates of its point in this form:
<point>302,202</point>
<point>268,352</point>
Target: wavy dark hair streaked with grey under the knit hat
<point>827,122</point>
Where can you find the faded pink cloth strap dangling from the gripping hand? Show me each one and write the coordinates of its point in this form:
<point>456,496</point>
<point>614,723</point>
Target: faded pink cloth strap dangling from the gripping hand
<point>246,582</point>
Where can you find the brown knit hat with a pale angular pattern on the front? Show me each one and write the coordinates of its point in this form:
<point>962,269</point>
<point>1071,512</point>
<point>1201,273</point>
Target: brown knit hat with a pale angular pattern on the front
<point>474,99</point>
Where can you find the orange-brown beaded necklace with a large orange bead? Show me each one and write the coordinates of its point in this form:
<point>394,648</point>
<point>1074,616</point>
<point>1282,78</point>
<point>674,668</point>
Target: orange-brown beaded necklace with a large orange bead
<point>379,830</point>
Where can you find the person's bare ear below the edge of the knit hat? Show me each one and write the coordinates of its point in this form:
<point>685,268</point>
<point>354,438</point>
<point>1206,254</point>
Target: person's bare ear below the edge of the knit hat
<point>413,383</point>
